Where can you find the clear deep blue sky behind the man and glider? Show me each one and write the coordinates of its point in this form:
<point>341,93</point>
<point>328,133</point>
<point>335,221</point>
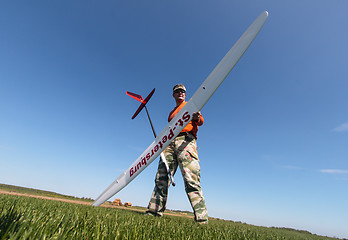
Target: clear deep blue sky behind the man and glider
<point>273,148</point>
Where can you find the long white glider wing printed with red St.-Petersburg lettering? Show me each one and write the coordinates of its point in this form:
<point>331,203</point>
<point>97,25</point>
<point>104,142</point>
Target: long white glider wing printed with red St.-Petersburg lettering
<point>195,104</point>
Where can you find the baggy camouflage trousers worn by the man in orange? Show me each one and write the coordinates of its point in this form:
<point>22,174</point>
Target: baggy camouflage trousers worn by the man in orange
<point>182,152</point>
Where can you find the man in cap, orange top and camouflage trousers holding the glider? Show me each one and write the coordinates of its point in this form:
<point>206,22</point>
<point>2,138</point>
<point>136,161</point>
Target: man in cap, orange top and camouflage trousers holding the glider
<point>182,152</point>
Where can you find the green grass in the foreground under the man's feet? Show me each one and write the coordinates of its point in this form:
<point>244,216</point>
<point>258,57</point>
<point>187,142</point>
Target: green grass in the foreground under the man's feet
<point>31,218</point>
